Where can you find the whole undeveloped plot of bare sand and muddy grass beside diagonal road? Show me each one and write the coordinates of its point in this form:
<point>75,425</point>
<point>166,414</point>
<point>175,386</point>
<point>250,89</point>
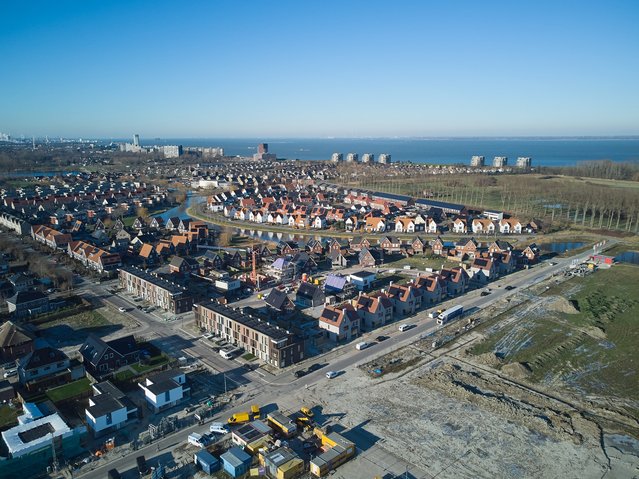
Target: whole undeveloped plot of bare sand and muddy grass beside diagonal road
<point>542,384</point>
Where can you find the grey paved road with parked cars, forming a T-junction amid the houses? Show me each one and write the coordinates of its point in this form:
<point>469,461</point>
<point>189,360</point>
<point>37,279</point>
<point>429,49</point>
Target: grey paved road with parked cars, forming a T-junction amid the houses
<point>269,390</point>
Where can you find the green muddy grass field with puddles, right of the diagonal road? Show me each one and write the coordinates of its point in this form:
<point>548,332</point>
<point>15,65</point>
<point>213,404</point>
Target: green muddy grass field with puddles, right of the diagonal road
<point>590,349</point>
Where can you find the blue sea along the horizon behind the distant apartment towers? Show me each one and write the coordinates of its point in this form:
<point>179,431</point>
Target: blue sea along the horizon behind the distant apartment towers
<point>543,151</point>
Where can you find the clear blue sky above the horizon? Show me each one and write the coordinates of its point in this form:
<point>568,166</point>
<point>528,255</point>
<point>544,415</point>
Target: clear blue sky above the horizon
<point>319,68</point>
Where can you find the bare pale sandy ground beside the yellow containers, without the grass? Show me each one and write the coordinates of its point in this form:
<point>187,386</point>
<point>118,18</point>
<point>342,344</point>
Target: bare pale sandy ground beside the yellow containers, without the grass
<point>421,419</point>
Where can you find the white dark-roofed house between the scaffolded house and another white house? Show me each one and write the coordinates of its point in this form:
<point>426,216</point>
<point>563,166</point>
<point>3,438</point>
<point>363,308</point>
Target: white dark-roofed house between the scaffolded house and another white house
<point>109,409</point>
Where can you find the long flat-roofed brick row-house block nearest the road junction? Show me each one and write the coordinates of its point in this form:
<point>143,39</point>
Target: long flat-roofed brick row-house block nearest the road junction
<point>268,342</point>
